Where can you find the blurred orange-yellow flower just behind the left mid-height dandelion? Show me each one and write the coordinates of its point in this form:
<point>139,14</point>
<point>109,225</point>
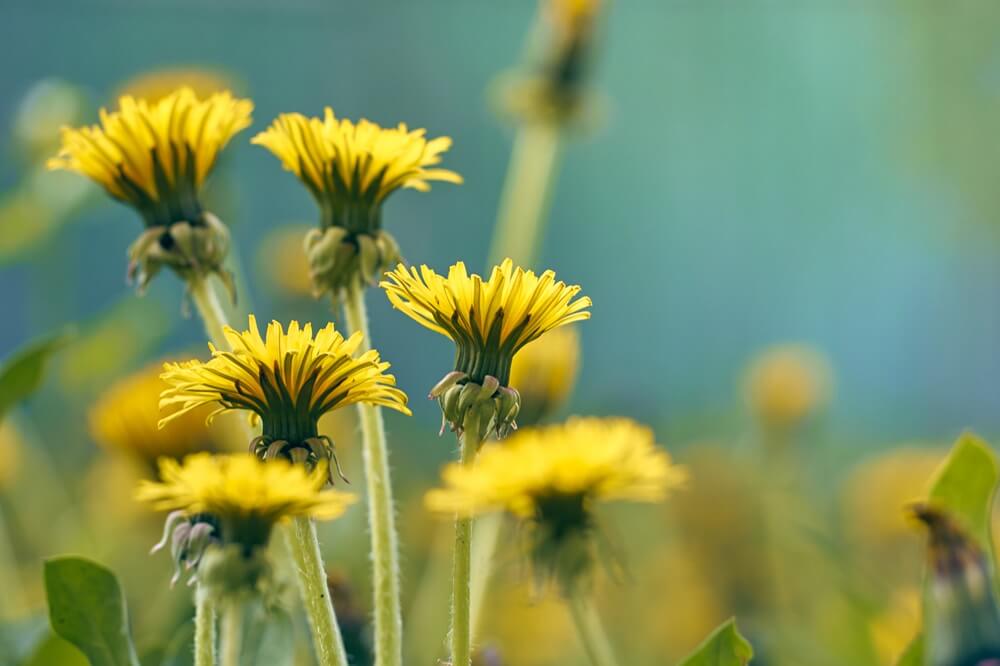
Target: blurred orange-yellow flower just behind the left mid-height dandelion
<point>125,417</point>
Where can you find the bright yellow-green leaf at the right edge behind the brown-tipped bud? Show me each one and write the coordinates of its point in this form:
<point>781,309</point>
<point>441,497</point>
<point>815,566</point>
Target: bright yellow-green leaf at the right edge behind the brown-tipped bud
<point>964,485</point>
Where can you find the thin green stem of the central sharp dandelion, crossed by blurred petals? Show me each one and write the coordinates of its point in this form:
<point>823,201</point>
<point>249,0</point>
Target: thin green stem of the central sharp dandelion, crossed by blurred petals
<point>461,627</point>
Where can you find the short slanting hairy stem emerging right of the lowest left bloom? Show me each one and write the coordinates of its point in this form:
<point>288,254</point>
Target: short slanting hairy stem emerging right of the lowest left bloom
<point>304,546</point>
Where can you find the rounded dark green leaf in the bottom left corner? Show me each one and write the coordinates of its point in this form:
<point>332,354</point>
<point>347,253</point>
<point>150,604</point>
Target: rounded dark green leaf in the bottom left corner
<point>87,608</point>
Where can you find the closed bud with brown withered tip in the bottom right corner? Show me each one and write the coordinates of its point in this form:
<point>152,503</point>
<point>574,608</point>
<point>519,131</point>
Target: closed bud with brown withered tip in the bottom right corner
<point>963,617</point>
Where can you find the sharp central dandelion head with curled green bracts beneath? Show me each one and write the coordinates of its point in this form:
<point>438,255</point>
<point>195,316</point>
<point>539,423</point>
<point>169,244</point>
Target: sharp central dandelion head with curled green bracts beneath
<point>489,321</point>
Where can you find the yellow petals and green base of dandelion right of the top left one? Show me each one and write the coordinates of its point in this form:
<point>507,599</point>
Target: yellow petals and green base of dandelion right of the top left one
<point>351,168</point>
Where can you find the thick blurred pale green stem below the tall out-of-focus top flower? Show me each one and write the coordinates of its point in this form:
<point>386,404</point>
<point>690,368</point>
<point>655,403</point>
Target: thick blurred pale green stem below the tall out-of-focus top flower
<point>524,203</point>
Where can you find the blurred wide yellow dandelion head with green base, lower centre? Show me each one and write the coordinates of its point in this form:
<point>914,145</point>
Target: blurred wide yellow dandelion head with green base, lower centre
<point>552,477</point>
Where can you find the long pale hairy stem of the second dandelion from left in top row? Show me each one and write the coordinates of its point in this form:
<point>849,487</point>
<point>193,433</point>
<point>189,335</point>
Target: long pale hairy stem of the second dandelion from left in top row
<point>381,516</point>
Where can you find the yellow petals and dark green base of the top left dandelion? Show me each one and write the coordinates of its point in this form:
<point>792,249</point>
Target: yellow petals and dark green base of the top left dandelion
<point>156,156</point>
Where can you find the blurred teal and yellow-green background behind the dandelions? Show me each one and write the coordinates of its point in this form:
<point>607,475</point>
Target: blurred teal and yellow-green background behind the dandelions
<point>785,216</point>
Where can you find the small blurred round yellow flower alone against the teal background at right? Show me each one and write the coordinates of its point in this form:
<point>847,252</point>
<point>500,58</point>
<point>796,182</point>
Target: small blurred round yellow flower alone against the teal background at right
<point>786,384</point>
